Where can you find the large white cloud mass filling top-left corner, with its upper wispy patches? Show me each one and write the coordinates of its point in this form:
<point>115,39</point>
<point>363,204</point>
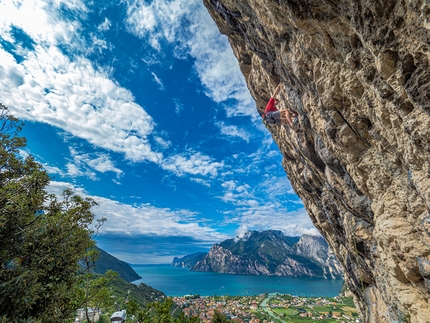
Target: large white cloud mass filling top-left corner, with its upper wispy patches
<point>71,94</point>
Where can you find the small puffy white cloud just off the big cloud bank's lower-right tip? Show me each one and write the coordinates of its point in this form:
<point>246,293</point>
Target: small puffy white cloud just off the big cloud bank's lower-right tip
<point>193,163</point>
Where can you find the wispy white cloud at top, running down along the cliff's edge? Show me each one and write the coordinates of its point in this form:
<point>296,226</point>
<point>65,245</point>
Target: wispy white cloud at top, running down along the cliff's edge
<point>187,24</point>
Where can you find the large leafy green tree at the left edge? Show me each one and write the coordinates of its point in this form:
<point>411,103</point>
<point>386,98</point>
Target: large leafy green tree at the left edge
<point>42,238</point>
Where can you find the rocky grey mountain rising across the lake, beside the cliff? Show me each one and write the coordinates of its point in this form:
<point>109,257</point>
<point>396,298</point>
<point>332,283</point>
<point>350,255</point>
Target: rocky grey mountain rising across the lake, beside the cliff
<point>271,253</point>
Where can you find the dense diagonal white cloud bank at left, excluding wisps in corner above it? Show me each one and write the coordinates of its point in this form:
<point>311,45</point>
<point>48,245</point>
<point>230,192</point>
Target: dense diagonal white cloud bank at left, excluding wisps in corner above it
<point>77,98</point>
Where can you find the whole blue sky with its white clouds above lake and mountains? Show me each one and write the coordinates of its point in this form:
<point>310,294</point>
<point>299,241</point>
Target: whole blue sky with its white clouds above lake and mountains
<point>141,105</point>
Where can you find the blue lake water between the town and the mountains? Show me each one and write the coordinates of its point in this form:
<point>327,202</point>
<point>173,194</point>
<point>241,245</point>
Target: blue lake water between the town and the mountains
<point>174,281</point>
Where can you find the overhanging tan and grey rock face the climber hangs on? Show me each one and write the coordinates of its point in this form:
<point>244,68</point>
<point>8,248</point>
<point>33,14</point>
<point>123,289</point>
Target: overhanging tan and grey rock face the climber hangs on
<point>357,74</point>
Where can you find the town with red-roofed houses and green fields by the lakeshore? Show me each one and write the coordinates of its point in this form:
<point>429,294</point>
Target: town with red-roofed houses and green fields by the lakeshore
<point>271,308</point>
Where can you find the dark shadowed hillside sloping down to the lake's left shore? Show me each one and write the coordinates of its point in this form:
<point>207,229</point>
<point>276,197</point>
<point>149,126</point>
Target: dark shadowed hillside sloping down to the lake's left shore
<point>107,262</point>
